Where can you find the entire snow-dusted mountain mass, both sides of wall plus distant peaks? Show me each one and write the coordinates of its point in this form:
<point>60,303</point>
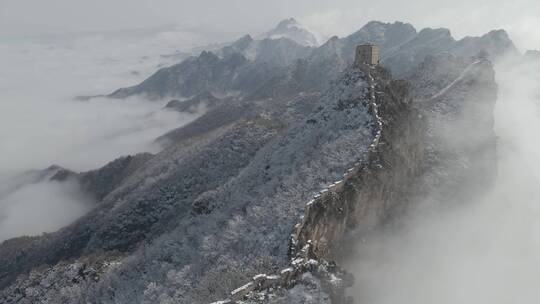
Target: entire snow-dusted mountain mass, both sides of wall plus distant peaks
<point>219,204</point>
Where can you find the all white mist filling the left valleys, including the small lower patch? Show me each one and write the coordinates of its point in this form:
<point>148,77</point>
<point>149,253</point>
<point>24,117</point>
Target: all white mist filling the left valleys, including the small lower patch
<point>42,123</point>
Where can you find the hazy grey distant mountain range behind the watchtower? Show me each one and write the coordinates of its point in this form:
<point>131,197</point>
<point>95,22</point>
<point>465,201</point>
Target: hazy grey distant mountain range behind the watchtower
<point>288,55</point>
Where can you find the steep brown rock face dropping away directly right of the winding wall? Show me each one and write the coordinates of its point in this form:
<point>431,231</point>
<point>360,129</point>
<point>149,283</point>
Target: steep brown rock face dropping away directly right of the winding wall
<point>372,192</point>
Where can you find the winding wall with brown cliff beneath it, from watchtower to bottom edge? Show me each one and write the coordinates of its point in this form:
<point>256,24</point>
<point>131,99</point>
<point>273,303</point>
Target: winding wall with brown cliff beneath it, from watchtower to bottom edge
<point>369,193</point>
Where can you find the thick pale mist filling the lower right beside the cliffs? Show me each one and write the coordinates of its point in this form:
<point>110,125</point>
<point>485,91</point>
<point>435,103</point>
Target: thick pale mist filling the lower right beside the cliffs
<point>487,250</point>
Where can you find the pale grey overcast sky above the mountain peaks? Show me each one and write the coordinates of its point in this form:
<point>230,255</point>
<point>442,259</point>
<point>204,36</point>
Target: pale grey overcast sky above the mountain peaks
<point>235,17</point>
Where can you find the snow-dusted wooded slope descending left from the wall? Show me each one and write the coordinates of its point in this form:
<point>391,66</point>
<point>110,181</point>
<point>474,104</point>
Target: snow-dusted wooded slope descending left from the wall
<point>236,191</point>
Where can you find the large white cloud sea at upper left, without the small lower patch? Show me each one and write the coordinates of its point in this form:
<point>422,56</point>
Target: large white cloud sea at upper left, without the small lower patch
<point>41,123</point>
